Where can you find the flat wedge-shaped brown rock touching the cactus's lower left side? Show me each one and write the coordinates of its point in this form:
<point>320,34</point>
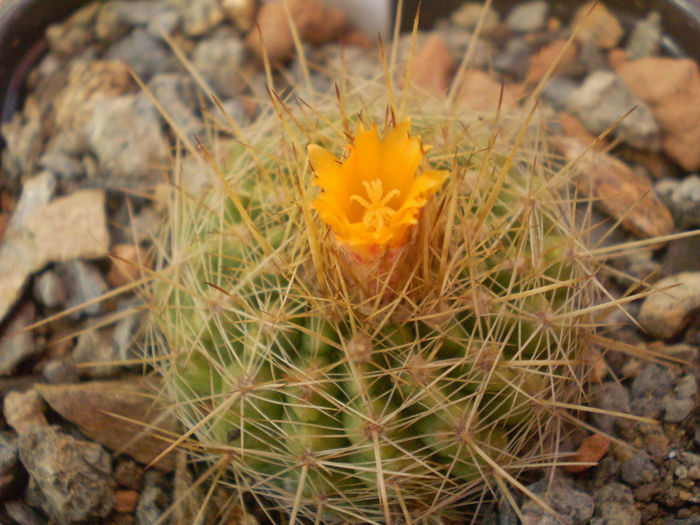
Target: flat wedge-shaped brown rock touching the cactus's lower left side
<point>116,414</point>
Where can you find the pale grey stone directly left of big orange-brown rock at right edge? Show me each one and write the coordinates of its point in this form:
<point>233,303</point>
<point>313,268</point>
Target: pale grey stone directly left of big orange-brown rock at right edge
<point>603,99</point>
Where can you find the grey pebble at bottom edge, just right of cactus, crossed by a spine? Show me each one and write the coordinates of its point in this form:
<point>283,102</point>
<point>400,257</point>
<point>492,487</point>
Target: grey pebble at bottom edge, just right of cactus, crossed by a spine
<point>575,507</point>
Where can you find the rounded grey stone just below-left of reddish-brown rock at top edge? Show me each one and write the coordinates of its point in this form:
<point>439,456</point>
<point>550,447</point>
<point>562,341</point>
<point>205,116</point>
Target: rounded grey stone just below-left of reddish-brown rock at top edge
<point>219,60</point>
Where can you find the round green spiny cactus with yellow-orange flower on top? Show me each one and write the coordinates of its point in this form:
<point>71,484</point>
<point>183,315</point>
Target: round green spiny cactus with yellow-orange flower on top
<point>367,349</point>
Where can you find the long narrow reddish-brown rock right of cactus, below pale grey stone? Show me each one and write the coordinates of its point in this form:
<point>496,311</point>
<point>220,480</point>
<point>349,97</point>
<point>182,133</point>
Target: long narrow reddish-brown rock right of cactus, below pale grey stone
<point>619,191</point>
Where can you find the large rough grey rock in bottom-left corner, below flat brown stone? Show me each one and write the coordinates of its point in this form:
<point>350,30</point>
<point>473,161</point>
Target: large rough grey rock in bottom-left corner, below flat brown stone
<point>74,477</point>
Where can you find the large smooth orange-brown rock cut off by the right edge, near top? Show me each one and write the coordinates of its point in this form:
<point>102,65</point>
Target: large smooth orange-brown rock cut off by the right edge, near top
<point>671,87</point>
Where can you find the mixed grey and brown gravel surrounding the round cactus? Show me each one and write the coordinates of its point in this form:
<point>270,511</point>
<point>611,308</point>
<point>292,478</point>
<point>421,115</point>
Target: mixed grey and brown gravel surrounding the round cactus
<point>88,125</point>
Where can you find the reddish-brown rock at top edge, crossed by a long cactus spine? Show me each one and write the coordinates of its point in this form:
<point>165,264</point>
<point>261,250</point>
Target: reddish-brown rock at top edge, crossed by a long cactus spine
<point>315,23</point>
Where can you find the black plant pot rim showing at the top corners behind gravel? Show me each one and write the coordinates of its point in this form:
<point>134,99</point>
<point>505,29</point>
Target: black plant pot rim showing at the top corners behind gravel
<point>23,23</point>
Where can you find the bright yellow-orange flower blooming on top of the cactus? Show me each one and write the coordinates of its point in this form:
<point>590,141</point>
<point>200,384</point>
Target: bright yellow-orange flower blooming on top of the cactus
<point>373,198</point>
